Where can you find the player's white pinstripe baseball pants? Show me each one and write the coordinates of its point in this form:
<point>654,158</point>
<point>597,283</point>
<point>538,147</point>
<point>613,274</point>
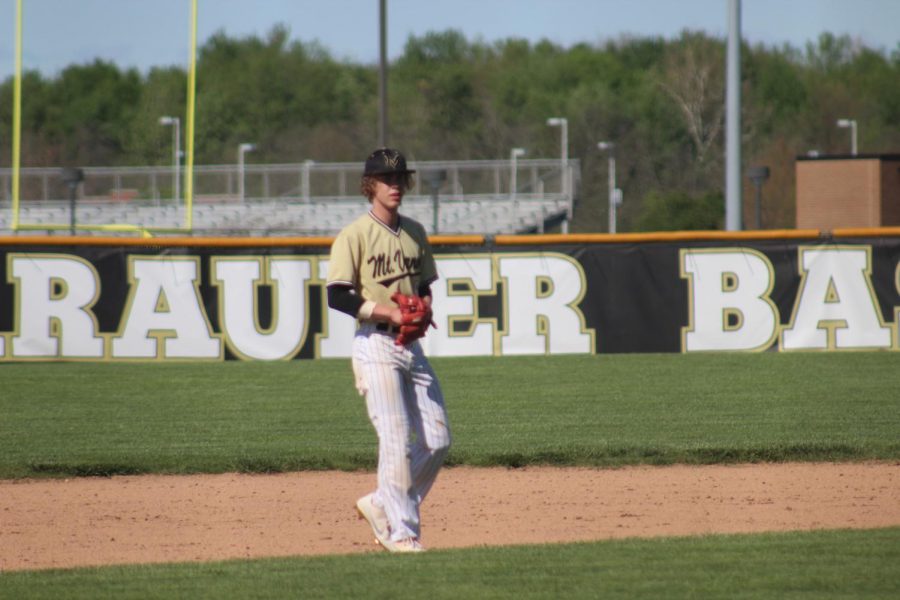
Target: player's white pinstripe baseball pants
<point>406,408</point>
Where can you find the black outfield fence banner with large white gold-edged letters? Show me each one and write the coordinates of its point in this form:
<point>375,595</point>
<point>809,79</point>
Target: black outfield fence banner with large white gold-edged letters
<point>256,299</point>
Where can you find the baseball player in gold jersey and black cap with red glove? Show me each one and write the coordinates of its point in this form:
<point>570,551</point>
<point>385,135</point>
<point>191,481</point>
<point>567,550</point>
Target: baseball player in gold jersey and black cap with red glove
<point>380,272</point>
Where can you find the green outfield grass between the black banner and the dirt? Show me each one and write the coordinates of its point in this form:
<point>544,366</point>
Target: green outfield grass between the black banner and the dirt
<point>96,418</point>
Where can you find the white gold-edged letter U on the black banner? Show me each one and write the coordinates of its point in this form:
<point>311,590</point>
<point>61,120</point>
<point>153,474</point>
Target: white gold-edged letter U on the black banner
<point>238,280</point>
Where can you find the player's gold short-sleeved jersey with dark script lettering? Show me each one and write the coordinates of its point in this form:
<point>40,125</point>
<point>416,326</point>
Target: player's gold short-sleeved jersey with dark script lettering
<point>377,261</point>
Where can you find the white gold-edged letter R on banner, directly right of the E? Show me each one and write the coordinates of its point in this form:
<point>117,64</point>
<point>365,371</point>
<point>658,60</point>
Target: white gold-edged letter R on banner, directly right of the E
<point>540,304</point>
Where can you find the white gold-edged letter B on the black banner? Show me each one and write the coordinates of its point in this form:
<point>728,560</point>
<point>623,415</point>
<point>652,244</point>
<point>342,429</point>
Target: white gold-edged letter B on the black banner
<point>728,300</point>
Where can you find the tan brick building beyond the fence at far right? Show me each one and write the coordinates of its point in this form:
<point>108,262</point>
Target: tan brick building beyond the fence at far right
<point>848,191</point>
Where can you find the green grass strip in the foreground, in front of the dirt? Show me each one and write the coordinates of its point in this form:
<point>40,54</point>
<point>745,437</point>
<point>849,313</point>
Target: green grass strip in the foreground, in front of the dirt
<point>820,565</point>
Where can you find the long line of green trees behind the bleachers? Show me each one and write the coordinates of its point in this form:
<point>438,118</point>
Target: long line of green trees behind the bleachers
<point>661,102</point>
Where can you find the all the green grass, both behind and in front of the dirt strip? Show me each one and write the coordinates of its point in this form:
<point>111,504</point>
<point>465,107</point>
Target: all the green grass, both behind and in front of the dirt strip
<point>63,419</point>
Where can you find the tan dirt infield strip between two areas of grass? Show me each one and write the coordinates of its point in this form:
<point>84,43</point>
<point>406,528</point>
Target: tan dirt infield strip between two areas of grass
<point>146,519</point>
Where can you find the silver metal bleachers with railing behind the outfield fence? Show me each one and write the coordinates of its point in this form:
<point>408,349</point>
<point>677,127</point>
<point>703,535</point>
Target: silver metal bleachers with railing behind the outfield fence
<point>306,199</point>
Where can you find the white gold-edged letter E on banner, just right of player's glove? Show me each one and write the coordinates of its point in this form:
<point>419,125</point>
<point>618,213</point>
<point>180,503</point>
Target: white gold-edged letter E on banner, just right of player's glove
<point>460,331</point>
